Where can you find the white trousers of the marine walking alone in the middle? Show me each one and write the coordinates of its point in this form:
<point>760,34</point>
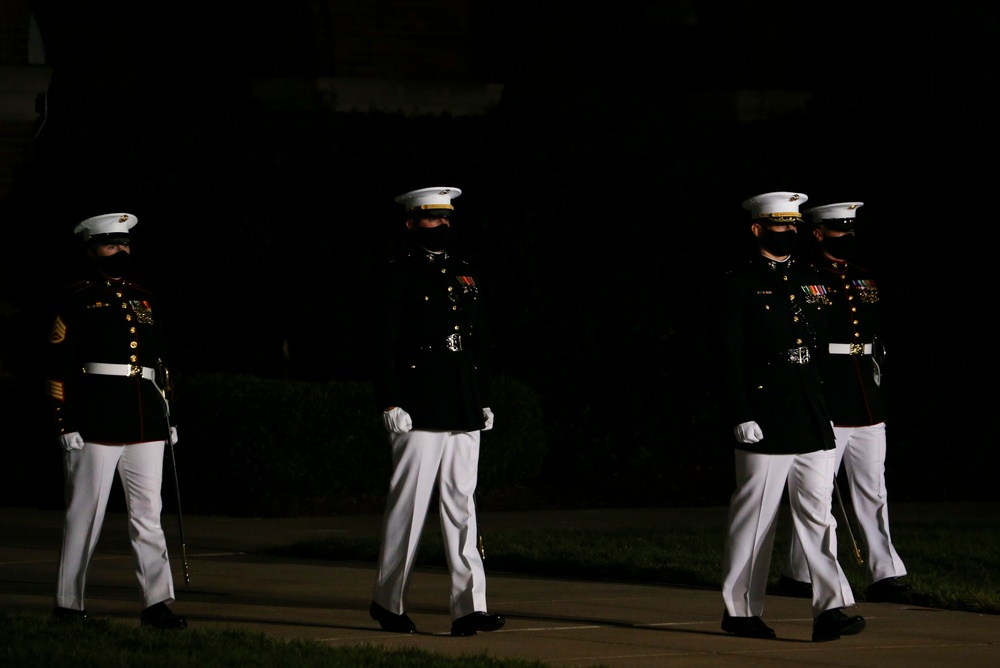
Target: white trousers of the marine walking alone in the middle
<point>420,459</point>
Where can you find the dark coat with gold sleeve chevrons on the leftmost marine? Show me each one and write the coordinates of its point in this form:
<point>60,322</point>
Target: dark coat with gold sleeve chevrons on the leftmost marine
<point>112,322</point>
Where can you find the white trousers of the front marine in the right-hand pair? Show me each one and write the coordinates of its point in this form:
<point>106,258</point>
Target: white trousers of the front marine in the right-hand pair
<point>753,514</point>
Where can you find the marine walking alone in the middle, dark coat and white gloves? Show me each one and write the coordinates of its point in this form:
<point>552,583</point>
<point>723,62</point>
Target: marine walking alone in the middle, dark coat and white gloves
<point>432,386</point>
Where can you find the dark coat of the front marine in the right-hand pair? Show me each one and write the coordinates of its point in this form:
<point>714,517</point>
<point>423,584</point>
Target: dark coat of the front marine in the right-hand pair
<point>767,309</point>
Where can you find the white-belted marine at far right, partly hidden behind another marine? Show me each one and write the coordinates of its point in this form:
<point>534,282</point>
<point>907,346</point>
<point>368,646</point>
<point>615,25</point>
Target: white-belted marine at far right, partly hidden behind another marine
<point>857,407</point>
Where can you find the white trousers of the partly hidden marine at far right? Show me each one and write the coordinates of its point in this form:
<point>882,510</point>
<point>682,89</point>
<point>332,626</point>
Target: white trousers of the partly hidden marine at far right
<point>862,452</point>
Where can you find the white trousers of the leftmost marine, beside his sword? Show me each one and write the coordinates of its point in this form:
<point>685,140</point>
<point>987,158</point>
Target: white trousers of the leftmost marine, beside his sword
<point>89,473</point>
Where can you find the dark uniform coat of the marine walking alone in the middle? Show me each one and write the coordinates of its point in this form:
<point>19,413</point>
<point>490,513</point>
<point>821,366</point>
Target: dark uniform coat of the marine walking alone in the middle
<point>430,345</point>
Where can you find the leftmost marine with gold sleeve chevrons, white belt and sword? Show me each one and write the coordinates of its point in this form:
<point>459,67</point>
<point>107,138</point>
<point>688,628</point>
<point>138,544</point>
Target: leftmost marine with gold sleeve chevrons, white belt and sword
<point>106,368</point>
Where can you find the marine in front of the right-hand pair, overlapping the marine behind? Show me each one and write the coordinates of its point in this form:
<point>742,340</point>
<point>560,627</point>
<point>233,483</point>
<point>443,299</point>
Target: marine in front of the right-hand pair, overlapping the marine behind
<point>772,330</point>
